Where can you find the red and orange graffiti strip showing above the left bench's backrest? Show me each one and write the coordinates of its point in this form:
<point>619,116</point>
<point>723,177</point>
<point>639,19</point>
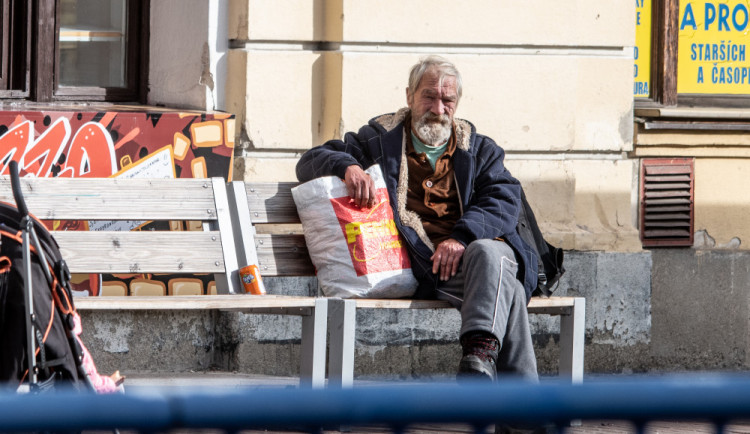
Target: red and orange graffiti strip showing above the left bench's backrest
<point>100,144</point>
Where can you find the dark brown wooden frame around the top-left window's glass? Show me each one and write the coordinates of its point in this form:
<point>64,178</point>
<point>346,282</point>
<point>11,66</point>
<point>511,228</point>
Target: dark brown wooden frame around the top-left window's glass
<point>39,41</point>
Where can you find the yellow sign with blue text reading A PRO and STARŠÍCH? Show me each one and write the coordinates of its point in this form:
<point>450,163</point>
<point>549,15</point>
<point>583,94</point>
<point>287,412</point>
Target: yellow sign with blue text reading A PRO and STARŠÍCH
<point>712,50</point>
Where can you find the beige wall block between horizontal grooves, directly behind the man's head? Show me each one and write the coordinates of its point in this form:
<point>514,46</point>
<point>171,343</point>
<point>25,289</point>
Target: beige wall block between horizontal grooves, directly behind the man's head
<point>512,98</point>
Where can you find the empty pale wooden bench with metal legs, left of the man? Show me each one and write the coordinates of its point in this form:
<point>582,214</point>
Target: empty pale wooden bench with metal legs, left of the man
<point>211,250</point>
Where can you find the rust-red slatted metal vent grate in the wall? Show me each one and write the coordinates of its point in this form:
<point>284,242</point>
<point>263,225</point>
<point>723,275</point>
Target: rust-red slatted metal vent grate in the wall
<point>666,212</point>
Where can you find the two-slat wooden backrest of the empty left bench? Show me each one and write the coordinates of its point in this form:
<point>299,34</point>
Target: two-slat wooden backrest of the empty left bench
<point>171,252</point>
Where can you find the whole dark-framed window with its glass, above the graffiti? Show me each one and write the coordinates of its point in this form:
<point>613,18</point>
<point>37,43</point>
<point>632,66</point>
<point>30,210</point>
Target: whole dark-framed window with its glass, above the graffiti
<point>90,50</point>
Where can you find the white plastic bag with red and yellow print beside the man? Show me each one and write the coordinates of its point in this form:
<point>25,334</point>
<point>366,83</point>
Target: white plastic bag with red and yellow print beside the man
<point>357,252</point>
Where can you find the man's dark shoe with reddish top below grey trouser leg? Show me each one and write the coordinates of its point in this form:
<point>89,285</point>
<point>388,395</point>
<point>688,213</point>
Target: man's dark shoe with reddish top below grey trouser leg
<point>480,350</point>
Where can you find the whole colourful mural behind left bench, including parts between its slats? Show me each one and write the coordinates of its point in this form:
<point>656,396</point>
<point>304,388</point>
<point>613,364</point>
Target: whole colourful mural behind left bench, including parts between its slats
<point>102,144</point>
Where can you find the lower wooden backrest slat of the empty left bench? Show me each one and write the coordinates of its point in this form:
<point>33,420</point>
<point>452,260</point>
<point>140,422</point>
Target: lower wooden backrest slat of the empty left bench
<point>141,252</point>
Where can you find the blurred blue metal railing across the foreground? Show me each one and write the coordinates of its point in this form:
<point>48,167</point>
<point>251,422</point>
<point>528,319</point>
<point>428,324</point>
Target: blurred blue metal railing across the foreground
<point>717,398</point>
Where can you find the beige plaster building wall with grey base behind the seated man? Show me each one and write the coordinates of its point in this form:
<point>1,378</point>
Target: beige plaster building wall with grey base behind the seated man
<point>552,83</point>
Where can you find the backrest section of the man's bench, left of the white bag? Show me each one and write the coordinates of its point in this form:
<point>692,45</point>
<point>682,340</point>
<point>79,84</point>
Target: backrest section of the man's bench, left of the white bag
<point>268,229</point>
